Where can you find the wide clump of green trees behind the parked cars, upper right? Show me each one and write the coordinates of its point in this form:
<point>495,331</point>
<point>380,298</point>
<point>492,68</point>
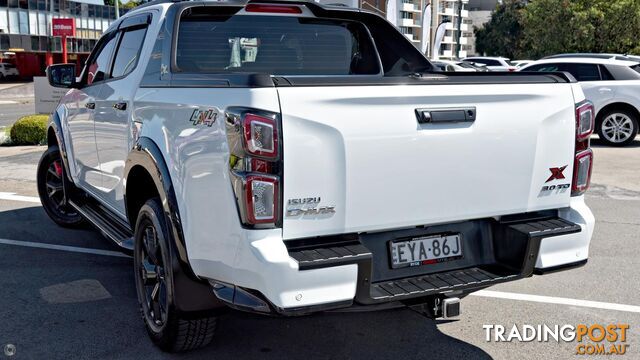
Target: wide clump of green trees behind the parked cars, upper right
<point>537,28</point>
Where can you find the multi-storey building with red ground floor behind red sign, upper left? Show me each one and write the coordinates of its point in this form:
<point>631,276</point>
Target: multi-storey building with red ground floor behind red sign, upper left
<point>25,31</point>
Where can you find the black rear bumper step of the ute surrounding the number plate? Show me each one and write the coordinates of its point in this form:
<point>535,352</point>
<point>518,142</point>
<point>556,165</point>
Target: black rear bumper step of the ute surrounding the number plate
<point>514,244</point>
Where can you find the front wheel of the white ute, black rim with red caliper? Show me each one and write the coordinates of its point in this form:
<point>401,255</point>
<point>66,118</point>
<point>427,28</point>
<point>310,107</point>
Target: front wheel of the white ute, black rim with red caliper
<point>49,177</point>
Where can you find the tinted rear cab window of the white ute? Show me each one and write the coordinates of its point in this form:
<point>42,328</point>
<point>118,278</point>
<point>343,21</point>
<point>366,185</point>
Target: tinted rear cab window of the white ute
<point>275,45</point>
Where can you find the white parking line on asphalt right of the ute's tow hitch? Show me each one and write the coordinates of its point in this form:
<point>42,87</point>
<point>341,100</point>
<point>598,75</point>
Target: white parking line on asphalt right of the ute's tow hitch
<point>557,300</point>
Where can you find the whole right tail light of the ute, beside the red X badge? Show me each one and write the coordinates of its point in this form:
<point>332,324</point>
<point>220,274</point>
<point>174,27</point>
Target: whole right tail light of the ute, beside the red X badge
<point>583,160</point>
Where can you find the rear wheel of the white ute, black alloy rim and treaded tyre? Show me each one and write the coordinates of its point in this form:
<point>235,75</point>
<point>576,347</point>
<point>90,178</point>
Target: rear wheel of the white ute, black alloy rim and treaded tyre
<point>166,327</point>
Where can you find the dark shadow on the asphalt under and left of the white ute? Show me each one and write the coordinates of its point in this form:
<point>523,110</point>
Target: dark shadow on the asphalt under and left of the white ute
<point>111,327</point>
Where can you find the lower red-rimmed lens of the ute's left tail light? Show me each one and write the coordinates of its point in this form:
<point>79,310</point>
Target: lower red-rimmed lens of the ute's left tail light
<point>262,199</point>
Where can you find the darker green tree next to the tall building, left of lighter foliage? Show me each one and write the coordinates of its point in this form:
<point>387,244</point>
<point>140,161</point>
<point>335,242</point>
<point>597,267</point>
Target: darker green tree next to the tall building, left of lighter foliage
<point>502,34</point>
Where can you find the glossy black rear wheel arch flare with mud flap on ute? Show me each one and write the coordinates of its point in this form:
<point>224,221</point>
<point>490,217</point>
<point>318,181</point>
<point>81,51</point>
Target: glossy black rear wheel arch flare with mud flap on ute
<point>191,294</point>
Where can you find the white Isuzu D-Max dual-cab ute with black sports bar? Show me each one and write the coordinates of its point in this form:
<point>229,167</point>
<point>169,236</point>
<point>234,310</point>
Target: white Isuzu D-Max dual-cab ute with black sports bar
<point>288,158</point>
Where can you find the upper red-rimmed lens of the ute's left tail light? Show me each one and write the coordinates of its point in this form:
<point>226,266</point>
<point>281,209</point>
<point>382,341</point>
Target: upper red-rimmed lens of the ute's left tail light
<point>261,136</point>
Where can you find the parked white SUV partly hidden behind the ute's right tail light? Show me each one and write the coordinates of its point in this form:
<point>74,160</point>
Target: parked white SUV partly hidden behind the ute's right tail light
<point>612,85</point>
